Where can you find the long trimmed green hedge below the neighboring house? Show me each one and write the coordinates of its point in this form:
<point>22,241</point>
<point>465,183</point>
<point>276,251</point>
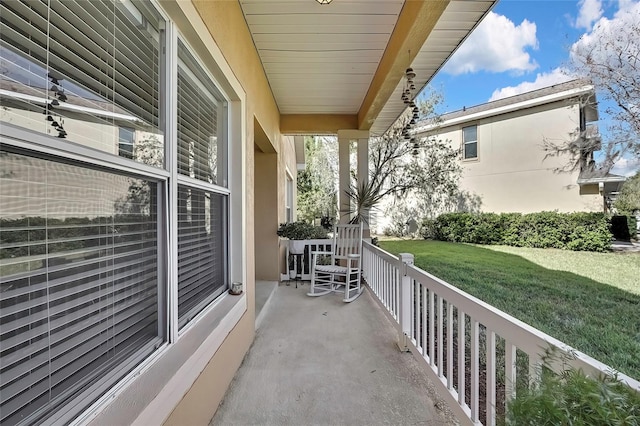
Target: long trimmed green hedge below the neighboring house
<point>571,231</point>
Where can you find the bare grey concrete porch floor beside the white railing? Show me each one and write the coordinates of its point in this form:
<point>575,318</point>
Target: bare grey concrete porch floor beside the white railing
<point>320,361</point>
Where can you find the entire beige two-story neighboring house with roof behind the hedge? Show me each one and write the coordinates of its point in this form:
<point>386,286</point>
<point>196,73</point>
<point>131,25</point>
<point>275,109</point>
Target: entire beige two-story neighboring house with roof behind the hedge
<point>502,155</point>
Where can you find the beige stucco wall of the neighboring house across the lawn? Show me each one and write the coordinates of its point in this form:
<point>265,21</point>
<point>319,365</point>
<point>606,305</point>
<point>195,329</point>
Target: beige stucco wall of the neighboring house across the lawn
<point>512,172</point>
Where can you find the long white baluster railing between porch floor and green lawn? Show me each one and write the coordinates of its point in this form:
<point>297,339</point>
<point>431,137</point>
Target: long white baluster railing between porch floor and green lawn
<point>477,354</point>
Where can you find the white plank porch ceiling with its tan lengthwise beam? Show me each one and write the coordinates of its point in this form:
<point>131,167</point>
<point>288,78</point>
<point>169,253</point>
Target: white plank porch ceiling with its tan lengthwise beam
<point>325,59</point>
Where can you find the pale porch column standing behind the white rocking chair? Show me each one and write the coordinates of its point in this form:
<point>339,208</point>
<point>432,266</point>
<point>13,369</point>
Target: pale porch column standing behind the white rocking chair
<point>344,164</point>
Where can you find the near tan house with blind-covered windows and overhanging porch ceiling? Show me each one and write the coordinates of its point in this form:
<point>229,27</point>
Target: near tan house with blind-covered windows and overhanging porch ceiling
<point>146,158</point>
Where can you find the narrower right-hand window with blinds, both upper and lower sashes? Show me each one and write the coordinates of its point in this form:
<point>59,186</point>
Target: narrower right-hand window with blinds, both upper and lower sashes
<point>202,203</point>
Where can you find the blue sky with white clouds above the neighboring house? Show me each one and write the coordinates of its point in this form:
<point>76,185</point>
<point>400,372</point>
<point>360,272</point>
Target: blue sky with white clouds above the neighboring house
<point>523,45</point>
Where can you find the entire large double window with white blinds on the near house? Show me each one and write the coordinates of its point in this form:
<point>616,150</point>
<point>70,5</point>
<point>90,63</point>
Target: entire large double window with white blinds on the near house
<point>85,278</point>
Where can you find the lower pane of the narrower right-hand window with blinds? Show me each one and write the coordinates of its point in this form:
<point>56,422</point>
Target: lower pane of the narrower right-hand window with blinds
<point>202,249</point>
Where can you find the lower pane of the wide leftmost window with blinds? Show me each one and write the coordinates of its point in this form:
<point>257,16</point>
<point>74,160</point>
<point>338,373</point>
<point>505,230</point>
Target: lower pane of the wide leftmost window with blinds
<point>79,296</point>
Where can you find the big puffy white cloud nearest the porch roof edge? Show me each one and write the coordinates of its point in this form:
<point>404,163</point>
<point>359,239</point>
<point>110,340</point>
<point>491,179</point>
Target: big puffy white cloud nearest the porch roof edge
<point>496,45</point>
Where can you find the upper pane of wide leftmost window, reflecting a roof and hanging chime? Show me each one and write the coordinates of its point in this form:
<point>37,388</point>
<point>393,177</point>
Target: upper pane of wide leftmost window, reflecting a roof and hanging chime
<point>101,72</point>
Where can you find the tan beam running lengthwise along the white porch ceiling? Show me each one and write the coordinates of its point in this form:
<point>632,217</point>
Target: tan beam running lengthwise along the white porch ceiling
<point>415,23</point>
